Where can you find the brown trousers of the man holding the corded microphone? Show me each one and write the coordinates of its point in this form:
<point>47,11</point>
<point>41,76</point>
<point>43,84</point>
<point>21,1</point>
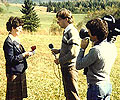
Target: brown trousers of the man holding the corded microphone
<point>70,78</point>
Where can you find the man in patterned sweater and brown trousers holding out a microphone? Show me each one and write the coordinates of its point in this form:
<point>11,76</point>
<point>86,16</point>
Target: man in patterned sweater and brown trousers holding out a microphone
<point>68,53</point>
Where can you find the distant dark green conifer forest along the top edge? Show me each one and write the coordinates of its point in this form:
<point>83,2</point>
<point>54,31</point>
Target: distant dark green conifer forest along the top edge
<point>79,6</point>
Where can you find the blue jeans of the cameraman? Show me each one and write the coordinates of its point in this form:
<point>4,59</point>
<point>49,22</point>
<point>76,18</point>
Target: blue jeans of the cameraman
<point>99,92</point>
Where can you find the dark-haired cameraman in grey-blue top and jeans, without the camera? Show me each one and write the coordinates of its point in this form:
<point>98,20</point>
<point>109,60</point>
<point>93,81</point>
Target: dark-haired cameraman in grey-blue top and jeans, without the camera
<point>99,60</point>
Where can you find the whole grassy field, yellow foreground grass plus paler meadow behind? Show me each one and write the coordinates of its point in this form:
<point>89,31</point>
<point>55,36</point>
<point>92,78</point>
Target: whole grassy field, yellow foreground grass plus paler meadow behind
<point>41,79</point>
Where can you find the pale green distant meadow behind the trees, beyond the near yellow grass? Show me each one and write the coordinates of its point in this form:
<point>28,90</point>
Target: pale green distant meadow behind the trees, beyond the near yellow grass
<point>46,18</point>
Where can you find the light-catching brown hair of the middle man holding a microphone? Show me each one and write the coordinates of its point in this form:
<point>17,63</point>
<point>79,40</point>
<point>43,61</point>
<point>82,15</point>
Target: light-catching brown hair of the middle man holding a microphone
<point>64,13</point>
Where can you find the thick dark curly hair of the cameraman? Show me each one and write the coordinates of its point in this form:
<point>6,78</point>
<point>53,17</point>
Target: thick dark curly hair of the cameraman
<point>98,27</point>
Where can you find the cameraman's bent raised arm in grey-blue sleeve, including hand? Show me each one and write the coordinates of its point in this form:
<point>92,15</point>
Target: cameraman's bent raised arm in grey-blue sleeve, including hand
<point>85,61</point>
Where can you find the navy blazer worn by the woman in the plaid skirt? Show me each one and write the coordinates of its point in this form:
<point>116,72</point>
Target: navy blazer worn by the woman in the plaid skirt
<point>15,62</point>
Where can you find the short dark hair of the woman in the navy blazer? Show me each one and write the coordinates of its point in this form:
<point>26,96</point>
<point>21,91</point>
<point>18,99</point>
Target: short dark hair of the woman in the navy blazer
<point>14,22</point>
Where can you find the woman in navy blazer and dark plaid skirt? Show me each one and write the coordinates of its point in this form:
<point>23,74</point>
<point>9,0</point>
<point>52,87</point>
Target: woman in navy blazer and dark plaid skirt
<point>16,64</point>
